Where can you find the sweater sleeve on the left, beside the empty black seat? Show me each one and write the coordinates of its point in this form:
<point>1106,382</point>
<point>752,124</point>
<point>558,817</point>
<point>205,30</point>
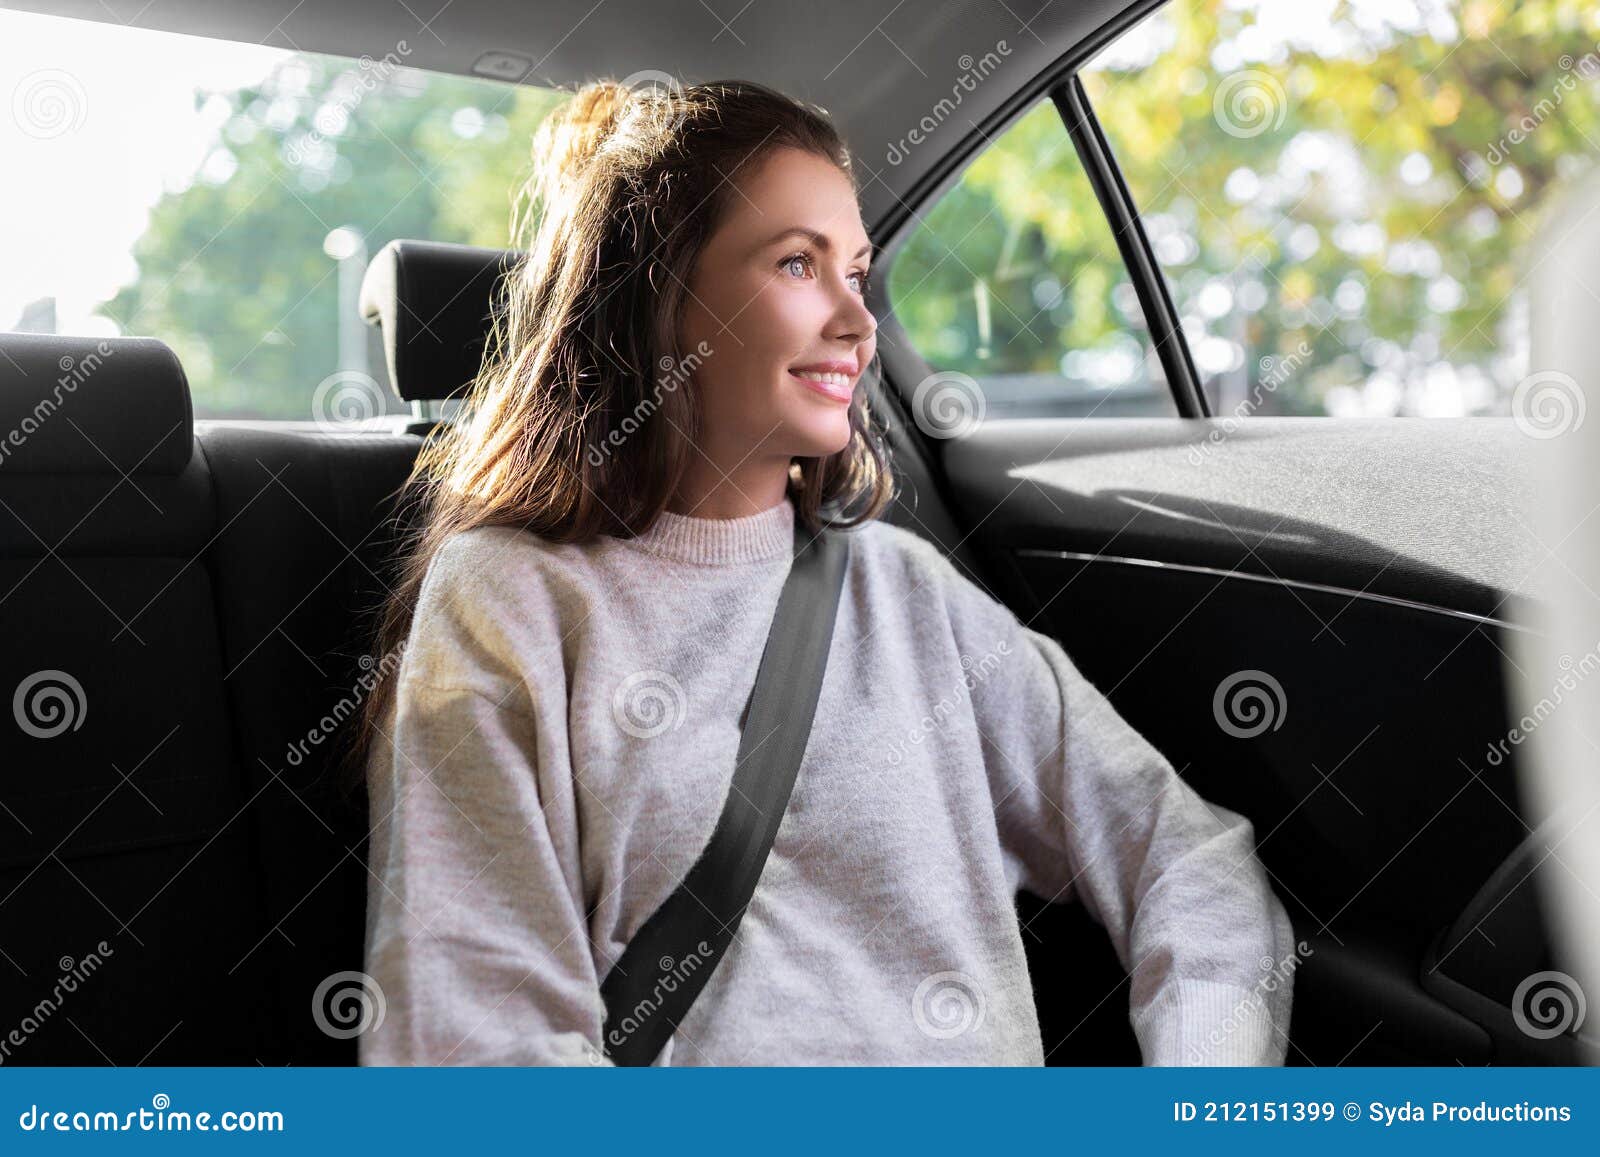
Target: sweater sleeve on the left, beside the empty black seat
<point>478,937</point>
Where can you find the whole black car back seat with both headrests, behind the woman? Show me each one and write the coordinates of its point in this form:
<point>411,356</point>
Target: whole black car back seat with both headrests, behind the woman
<point>249,559</point>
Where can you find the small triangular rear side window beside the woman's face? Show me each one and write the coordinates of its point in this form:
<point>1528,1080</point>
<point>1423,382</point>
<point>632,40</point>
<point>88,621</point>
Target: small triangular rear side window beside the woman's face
<point>1012,289</point>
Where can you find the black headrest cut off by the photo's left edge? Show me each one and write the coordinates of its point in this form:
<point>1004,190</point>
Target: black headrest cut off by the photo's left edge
<point>92,406</point>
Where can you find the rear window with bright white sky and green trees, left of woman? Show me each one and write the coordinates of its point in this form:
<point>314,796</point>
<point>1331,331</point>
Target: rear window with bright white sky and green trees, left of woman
<point>226,198</point>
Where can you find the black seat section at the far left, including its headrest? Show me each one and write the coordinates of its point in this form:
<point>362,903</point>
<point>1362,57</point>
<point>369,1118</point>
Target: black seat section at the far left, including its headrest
<point>129,903</point>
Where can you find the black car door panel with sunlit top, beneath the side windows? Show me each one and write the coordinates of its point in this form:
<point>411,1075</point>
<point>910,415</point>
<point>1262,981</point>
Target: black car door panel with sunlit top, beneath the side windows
<point>1308,619</point>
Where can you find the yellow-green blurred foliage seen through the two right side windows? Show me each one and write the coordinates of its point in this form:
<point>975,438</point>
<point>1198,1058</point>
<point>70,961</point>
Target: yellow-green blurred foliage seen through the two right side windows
<point>1356,177</point>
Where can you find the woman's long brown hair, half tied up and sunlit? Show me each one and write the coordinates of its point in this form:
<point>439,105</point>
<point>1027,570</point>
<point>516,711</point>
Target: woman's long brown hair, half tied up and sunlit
<point>628,190</point>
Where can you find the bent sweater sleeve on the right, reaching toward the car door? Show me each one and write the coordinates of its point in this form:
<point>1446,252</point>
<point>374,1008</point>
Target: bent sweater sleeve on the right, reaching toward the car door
<point>1089,809</point>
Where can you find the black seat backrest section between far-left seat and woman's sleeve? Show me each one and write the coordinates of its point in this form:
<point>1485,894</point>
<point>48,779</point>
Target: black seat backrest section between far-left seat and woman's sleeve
<point>303,556</point>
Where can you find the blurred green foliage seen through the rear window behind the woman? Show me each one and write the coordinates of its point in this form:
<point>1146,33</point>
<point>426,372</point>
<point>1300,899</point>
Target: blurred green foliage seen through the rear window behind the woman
<point>233,271</point>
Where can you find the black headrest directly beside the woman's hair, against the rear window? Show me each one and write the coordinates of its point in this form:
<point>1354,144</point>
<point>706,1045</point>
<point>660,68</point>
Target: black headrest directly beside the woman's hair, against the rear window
<point>434,303</point>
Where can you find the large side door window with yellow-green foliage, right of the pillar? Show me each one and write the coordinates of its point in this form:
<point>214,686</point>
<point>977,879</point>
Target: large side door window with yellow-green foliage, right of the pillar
<point>1340,194</point>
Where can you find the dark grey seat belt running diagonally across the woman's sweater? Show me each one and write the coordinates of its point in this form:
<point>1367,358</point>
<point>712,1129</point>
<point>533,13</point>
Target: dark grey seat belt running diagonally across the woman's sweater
<point>668,963</point>
